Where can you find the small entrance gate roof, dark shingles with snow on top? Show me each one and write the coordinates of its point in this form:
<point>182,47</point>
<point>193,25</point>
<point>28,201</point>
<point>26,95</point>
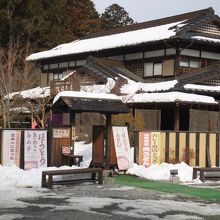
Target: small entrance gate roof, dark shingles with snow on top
<point>90,102</point>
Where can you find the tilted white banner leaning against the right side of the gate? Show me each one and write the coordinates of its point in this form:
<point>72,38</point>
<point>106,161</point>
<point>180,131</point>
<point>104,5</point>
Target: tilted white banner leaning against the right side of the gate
<point>122,147</point>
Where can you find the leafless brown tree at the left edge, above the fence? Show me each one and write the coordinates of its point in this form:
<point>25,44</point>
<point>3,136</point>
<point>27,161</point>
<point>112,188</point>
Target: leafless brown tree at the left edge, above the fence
<point>15,75</point>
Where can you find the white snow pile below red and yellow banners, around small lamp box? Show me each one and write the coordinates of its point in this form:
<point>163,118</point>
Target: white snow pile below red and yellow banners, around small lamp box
<point>162,171</point>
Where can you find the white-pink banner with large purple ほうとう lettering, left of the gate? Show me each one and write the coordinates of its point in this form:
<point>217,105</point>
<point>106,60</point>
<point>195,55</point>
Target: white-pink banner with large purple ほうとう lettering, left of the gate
<point>35,149</point>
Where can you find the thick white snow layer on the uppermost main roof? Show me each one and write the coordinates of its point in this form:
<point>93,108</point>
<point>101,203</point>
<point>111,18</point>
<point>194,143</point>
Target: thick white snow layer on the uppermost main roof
<point>110,41</point>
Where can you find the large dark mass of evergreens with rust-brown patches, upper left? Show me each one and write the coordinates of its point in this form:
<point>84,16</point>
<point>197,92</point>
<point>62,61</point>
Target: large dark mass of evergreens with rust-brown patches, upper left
<point>46,23</point>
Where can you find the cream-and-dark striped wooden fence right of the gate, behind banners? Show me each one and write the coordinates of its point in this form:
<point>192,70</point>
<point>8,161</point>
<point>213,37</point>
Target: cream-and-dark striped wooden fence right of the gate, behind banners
<point>195,148</point>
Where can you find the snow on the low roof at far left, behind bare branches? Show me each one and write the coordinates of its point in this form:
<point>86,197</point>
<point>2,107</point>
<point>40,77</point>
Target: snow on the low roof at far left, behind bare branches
<point>34,93</point>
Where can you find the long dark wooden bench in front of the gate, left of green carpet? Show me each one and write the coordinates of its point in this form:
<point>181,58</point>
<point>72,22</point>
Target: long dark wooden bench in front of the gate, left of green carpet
<point>50,173</point>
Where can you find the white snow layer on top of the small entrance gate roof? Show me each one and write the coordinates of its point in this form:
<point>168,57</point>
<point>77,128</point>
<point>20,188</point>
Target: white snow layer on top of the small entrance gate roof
<point>85,95</point>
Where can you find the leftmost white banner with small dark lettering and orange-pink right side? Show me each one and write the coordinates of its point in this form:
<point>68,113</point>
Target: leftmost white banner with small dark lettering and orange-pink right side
<point>11,145</point>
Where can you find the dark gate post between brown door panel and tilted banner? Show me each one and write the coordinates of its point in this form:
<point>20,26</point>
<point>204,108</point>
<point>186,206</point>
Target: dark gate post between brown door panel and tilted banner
<point>107,146</point>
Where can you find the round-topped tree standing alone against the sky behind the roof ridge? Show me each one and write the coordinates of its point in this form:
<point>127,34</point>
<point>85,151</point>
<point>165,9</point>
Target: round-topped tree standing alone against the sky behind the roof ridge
<point>115,16</point>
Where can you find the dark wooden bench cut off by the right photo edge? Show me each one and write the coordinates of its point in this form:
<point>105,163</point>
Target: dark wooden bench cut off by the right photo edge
<point>204,173</point>
